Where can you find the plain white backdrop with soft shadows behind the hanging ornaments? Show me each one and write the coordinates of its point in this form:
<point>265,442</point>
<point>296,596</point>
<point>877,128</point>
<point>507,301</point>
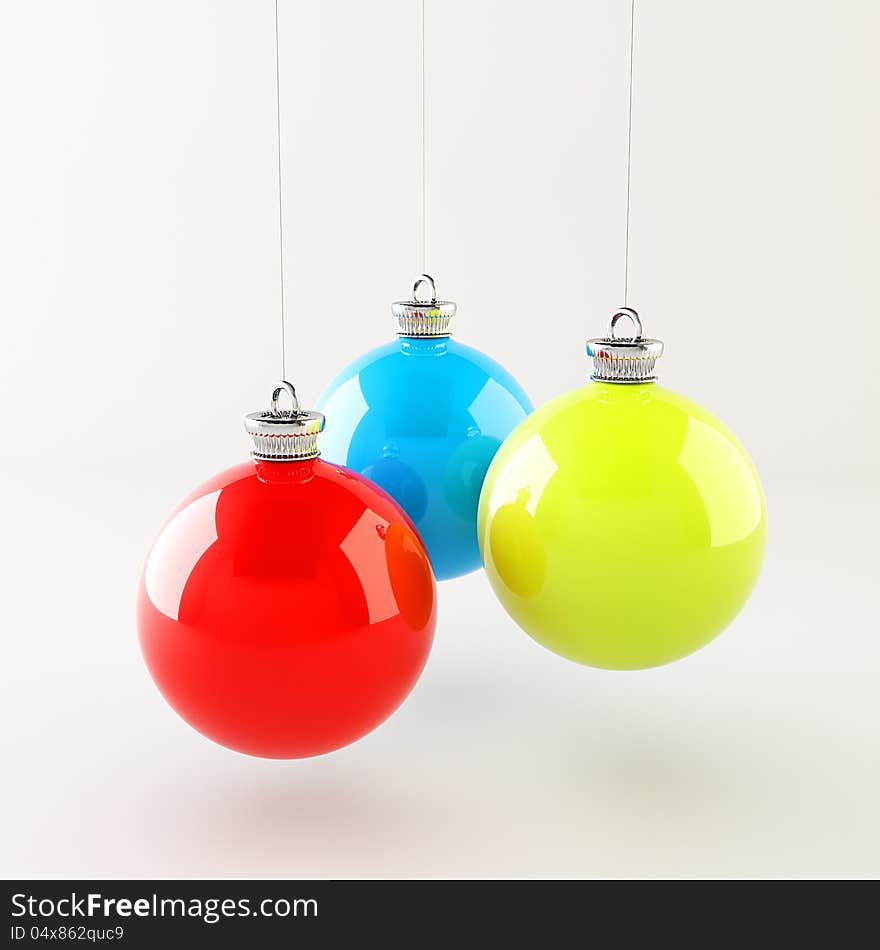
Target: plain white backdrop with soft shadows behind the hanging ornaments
<point>138,299</point>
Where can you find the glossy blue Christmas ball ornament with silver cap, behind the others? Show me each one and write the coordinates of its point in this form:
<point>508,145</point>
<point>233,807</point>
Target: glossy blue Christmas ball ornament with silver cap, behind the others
<point>423,417</point>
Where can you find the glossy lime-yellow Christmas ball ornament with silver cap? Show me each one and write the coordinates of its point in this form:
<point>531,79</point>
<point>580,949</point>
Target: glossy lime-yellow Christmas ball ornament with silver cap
<point>622,525</point>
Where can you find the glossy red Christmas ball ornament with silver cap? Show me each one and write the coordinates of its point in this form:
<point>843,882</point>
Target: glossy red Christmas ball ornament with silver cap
<point>286,607</point>
